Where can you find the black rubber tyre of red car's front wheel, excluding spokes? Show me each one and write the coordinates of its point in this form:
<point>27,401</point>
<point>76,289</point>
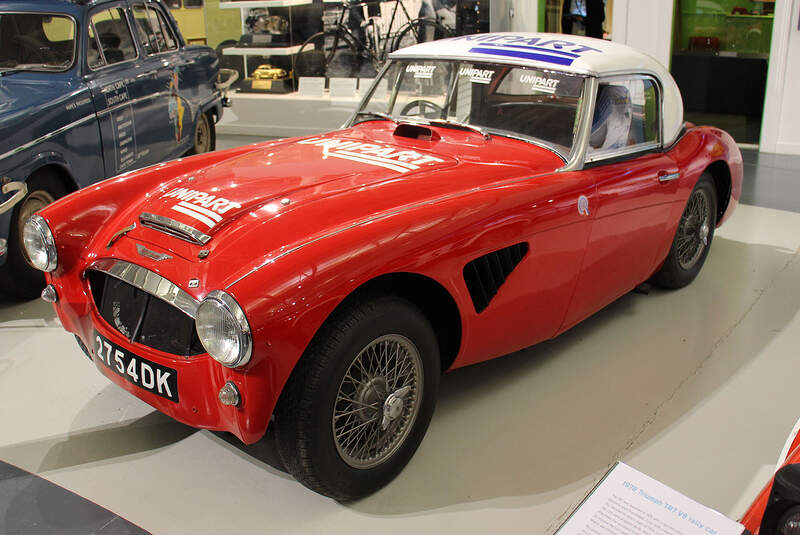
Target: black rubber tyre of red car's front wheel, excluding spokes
<point>295,412</point>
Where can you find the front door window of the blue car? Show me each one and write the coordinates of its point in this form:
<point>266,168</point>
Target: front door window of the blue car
<point>109,38</point>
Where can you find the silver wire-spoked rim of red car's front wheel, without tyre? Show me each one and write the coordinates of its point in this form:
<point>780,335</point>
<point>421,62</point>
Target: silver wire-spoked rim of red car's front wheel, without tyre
<point>377,401</point>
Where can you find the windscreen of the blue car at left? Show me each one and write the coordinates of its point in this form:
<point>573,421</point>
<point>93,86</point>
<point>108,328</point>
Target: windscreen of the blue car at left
<point>36,41</point>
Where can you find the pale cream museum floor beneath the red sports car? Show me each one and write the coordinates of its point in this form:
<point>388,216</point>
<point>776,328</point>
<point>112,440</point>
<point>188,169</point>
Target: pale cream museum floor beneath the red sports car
<point>697,388</point>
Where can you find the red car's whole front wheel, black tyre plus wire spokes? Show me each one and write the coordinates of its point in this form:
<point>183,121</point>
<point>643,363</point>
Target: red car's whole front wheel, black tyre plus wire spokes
<point>321,437</point>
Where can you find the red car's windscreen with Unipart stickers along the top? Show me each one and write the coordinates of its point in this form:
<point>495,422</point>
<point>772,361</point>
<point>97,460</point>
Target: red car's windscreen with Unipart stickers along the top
<point>525,102</point>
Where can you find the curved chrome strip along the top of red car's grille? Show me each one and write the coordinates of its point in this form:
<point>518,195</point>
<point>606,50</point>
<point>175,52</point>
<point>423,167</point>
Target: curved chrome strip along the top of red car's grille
<point>149,282</point>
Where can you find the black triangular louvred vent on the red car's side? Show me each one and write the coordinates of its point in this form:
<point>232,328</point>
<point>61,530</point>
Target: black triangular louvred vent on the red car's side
<point>487,273</point>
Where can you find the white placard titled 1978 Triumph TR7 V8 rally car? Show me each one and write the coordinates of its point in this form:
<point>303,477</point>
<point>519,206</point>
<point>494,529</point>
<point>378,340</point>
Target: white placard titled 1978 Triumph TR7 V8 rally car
<point>628,501</point>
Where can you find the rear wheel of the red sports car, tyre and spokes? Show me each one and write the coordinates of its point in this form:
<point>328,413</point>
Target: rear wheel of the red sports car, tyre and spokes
<point>693,237</point>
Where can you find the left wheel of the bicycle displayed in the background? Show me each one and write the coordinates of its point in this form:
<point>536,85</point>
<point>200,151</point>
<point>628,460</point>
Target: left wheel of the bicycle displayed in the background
<point>330,54</point>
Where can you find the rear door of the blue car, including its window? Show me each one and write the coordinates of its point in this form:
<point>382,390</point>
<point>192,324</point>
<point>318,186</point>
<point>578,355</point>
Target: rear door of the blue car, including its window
<point>161,50</point>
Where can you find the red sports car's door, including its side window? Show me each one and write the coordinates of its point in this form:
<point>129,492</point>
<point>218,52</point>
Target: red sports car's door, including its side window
<point>635,189</point>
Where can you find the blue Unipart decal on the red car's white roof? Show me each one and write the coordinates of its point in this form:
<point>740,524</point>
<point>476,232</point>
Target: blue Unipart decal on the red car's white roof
<point>558,51</point>
